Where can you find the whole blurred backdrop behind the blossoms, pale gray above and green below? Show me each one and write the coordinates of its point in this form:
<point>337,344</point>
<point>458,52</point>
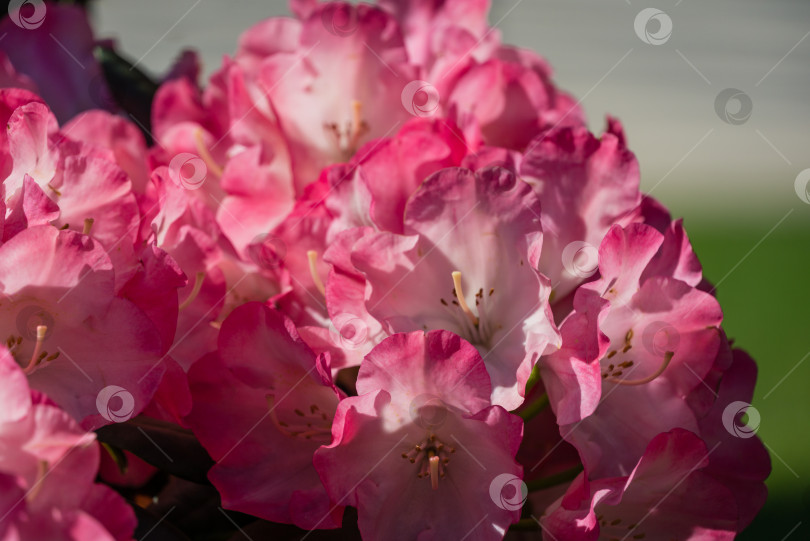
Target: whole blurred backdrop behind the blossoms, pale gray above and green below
<point>733,184</point>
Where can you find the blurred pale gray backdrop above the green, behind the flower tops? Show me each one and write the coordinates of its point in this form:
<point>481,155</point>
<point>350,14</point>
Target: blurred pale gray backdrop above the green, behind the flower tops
<point>665,94</point>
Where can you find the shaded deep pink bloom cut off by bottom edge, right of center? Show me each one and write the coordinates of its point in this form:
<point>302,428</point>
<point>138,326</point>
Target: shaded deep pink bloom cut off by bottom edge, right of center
<point>667,494</point>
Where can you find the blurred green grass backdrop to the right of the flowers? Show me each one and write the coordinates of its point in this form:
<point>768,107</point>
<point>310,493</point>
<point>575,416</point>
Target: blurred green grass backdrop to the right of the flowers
<point>766,304</point>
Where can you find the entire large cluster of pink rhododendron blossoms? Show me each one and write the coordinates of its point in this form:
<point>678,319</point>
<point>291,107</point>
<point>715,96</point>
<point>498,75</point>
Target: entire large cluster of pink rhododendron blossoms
<point>378,261</point>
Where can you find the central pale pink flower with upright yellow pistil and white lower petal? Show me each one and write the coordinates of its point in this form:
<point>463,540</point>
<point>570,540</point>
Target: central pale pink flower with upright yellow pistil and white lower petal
<point>467,264</point>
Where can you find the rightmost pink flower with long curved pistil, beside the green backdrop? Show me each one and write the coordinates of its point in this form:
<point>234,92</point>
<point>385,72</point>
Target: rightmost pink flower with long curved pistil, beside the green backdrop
<point>657,338</point>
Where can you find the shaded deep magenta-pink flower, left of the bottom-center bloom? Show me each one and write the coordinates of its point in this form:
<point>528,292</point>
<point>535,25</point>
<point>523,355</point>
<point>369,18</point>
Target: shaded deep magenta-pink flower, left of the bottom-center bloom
<point>262,405</point>
